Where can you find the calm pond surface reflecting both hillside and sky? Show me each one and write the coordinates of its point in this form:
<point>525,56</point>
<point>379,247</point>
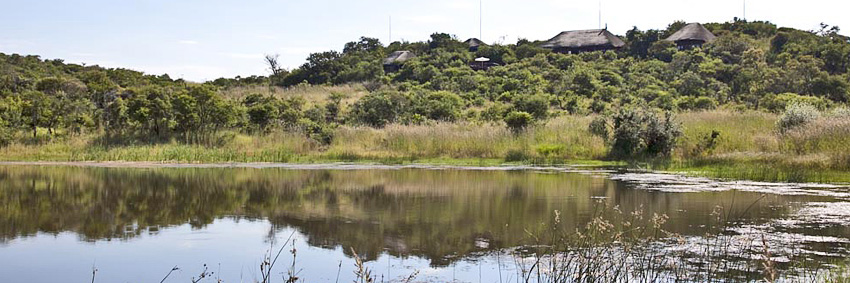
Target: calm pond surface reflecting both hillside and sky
<point>136,224</point>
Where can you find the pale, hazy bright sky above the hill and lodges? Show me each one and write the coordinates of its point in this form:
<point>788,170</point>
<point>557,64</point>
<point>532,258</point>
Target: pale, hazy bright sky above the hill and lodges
<point>201,40</point>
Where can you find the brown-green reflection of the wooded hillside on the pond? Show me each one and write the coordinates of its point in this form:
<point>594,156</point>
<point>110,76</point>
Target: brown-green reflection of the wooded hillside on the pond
<point>441,215</point>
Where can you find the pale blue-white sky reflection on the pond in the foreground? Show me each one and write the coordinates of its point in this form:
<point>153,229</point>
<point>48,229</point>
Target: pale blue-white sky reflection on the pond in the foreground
<point>232,249</point>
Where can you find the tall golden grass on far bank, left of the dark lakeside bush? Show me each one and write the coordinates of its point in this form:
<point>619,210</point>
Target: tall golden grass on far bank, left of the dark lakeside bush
<point>560,138</point>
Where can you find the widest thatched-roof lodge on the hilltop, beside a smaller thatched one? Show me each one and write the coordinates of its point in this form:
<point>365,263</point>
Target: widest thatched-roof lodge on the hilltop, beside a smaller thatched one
<point>577,41</point>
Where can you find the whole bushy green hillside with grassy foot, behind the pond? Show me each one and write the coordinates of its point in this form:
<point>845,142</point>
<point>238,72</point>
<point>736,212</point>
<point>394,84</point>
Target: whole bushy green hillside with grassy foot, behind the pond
<point>758,102</point>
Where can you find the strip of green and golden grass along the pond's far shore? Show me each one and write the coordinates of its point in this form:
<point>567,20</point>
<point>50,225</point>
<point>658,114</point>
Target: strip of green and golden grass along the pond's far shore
<point>747,147</point>
